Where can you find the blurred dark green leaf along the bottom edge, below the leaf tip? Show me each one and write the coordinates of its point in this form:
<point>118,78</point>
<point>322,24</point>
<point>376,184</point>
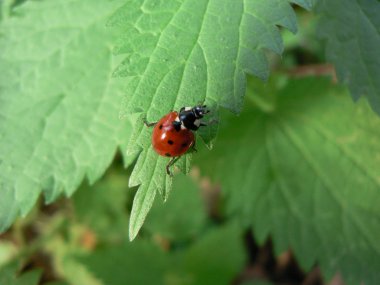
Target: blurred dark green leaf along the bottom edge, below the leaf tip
<point>142,262</point>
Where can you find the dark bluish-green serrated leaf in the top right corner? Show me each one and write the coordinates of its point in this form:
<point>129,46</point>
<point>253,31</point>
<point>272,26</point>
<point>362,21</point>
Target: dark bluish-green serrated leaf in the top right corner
<point>351,30</point>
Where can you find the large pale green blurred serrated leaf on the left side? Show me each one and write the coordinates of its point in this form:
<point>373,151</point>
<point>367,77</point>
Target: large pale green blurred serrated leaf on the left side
<point>58,103</point>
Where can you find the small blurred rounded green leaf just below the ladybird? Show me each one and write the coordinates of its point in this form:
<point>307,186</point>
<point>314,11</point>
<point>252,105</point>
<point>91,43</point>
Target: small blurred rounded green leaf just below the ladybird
<point>182,216</point>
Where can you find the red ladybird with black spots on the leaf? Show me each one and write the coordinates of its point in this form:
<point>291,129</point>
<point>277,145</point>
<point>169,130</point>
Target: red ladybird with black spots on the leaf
<point>173,135</point>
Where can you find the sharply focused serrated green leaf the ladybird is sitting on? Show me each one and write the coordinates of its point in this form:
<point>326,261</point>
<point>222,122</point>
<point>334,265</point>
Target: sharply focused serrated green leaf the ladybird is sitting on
<point>181,53</point>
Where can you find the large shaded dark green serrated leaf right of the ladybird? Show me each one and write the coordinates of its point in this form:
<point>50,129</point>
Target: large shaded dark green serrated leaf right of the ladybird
<point>307,173</point>
